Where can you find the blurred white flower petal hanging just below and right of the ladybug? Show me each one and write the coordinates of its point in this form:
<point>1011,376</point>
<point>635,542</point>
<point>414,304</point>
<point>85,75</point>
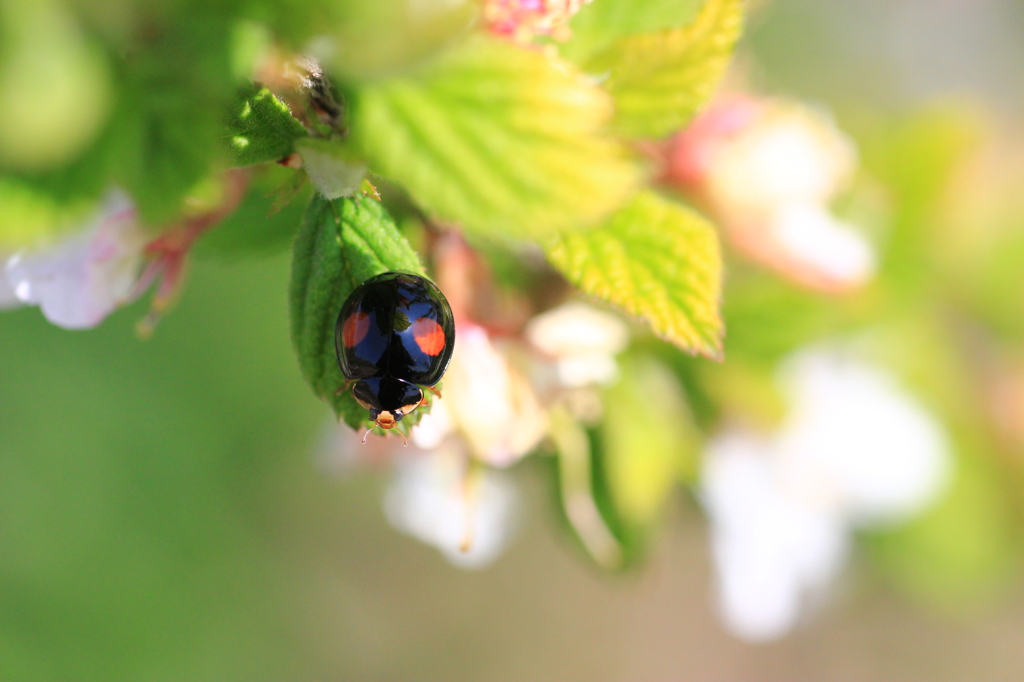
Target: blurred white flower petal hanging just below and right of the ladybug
<point>430,499</point>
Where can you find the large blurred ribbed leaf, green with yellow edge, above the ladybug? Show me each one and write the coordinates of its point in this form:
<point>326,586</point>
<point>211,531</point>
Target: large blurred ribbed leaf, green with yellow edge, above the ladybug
<point>499,139</point>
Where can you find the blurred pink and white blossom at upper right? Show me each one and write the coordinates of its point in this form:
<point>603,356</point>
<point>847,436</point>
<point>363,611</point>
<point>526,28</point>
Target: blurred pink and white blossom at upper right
<point>769,169</point>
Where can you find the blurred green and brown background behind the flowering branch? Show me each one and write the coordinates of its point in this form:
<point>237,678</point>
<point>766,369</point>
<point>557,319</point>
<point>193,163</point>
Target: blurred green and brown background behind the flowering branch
<point>163,516</point>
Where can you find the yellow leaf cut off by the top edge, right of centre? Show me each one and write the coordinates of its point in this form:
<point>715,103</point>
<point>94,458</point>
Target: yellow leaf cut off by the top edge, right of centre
<point>661,79</point>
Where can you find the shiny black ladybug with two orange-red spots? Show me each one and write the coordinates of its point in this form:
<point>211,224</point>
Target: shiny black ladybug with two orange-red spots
<point>395,334</point>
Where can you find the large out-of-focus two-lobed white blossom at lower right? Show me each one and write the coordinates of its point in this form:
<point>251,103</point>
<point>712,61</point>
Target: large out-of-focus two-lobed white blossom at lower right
<point>855,452</point>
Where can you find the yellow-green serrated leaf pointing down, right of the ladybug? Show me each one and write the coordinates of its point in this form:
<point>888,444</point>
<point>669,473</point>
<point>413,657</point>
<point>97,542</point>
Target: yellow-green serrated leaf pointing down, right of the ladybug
<point>655,260</point>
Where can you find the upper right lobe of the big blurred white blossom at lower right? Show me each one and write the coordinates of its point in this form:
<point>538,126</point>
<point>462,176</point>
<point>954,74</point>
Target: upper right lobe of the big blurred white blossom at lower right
<point>854,431</point>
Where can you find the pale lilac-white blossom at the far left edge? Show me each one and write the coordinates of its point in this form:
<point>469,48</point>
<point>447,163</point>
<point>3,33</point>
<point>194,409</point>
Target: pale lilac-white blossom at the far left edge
<point>82,278</point>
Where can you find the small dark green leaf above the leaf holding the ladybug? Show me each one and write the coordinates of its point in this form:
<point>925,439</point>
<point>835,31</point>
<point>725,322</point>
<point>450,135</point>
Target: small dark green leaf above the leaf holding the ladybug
<point>262,129</point>
